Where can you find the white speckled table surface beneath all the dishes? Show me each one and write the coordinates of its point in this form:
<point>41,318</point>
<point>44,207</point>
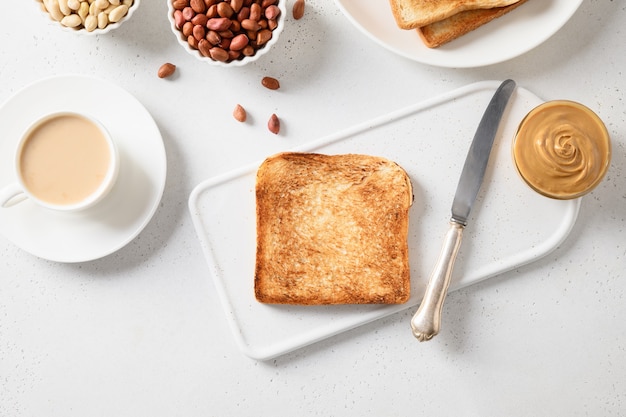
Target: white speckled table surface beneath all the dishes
<point>141,332</point>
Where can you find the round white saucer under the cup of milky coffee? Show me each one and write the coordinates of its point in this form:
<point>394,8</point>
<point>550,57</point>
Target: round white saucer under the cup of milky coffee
<point>122,215</point>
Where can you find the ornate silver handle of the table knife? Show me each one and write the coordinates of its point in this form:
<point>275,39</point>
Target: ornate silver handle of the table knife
<point>427,319</point>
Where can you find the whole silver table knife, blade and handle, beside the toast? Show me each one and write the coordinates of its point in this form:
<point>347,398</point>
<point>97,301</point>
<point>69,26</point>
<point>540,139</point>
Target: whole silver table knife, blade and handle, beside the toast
<point>427,320</point>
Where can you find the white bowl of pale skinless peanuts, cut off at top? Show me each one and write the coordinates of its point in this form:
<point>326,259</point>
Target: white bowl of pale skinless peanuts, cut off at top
<point>89,17</point>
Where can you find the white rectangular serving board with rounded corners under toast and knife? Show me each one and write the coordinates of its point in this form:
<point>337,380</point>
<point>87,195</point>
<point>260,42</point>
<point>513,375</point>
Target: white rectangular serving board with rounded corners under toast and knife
<point>510,225</point>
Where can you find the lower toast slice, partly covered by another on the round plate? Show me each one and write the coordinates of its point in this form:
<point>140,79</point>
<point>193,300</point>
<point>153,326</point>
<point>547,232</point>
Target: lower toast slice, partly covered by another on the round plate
<point>455,26</point>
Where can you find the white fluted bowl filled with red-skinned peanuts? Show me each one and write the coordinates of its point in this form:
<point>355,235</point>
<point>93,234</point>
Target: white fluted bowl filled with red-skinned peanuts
<point>227,32</point>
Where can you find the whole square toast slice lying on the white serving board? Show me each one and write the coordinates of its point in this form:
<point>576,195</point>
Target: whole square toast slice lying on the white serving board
<point>332,229</point>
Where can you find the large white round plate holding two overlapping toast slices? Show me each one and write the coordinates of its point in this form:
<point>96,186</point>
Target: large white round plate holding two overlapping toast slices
<point>502,39</point>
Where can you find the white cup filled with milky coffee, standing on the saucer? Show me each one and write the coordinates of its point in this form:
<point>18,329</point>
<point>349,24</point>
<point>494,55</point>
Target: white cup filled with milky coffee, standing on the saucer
<point>64,161</point>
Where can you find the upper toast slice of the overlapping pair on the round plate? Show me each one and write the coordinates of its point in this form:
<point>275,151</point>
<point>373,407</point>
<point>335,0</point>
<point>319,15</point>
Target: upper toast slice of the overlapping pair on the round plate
<point>412,14</point>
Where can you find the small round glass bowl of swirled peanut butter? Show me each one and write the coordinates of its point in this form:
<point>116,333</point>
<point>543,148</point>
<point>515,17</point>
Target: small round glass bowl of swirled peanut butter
<point>562,149</point>
